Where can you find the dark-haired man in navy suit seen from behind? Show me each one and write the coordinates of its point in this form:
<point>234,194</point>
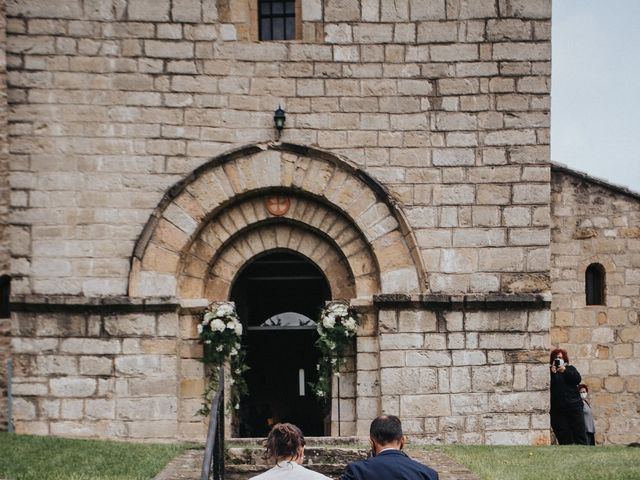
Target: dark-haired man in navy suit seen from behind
<point>388,461</point>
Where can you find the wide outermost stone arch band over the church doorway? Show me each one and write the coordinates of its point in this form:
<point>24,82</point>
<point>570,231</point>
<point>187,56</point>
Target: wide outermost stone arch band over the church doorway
<point>189,206</point>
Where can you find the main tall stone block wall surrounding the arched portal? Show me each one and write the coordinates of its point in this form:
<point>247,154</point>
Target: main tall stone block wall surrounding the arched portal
<point>444,103</point>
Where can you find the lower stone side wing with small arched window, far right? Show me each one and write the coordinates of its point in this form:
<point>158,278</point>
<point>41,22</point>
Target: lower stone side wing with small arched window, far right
<point>598,223</point>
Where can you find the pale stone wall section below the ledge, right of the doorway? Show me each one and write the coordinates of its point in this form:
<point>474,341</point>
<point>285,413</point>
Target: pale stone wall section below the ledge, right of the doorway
<point>470,376</point>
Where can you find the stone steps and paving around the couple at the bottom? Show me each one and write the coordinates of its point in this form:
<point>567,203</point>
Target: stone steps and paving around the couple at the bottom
<point>327,455</point>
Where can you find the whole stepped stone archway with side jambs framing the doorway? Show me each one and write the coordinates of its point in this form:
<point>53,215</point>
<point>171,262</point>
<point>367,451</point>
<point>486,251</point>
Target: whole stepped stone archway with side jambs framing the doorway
<point>209,225</point>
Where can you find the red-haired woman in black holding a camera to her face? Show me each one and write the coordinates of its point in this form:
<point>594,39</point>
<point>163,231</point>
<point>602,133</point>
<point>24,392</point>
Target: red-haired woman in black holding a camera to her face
<point>567,418</point>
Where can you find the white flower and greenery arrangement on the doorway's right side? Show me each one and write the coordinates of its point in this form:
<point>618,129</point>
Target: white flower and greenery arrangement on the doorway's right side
<point>337,327</point>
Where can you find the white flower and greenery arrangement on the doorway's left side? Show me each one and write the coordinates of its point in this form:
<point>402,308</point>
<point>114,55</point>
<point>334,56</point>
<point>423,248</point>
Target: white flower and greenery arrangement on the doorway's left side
<point>220,333</point>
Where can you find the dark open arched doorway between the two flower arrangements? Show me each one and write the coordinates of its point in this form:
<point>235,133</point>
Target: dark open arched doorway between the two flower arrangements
<point>278,295</point>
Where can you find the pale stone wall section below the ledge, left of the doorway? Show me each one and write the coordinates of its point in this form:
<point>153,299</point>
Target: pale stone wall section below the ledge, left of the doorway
<point>100,374</point>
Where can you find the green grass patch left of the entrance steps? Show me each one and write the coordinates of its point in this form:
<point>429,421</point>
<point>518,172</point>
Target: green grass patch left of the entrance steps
<point>26,457</point>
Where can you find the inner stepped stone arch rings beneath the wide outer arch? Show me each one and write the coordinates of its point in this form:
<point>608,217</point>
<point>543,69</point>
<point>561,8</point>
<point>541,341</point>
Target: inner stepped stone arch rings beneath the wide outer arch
<point>309,227</point>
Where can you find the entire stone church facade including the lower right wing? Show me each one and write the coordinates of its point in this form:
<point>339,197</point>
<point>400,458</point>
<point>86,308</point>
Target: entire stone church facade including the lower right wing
<point>140,149</point>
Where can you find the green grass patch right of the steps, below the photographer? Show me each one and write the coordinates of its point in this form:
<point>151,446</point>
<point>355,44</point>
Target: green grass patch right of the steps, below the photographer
<point>548,462</point>
